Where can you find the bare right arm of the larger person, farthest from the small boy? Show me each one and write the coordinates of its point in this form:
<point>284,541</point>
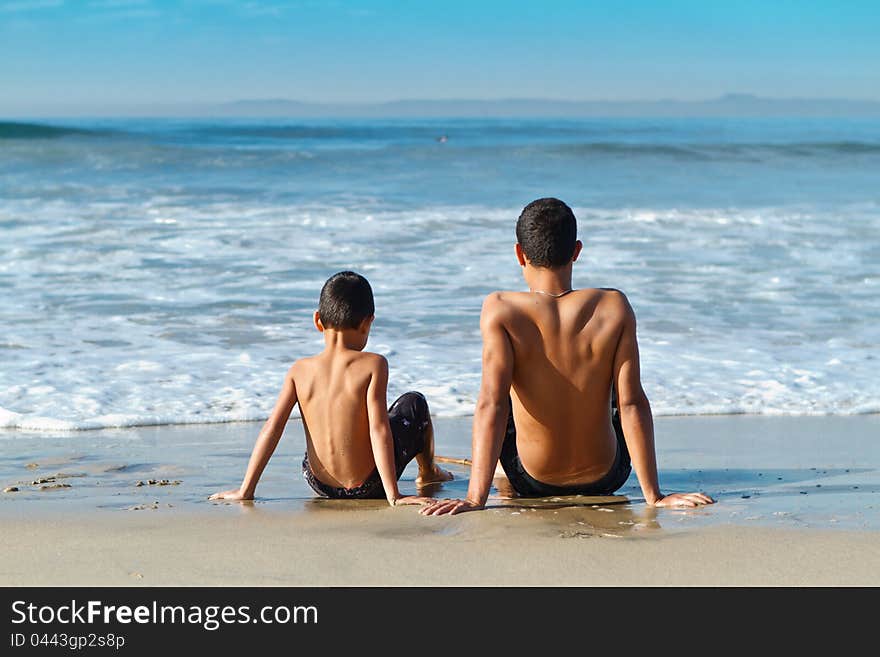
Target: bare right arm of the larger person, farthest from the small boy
<point>637,421</point>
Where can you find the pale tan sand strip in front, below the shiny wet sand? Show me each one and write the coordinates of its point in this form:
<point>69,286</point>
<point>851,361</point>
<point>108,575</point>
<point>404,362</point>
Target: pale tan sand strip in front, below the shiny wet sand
<point>382,546</point>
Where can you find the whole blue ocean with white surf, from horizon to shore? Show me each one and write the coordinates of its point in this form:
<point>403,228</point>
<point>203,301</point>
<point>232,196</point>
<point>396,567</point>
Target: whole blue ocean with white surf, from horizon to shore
<point>166,271</point>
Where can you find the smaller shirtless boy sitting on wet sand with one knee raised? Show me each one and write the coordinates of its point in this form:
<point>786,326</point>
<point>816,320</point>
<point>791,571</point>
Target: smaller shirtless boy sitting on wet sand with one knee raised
<point>355,448</point>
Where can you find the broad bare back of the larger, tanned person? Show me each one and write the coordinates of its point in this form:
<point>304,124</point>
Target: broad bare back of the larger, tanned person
<point>563,360</point>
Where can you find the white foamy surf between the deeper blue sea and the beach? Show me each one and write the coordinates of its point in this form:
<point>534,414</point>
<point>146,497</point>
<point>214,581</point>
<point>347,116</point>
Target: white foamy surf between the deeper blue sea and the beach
<point>159,310</point>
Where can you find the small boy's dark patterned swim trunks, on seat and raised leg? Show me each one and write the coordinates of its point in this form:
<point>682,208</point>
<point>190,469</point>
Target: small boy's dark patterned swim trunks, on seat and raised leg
<point>409,417</point>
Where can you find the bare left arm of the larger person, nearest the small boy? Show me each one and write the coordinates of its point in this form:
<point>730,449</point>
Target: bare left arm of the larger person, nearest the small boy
<point>490,414</point>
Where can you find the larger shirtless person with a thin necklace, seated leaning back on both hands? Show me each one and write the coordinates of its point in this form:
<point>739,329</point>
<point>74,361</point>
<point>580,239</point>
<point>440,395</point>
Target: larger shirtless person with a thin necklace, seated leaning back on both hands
<point>561,403</point>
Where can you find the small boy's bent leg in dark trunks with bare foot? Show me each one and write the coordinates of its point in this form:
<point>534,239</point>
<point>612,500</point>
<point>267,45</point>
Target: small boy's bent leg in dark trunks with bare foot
<point>413,434</point>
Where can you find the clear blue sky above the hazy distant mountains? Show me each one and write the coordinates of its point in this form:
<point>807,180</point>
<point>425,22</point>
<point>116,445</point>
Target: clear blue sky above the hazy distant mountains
<point>162,51</point>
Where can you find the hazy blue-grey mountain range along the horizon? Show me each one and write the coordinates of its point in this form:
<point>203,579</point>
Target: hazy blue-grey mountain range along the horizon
<point>730,105</point>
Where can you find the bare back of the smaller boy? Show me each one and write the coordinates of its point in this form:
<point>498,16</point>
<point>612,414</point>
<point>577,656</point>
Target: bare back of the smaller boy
<point>332,393</point>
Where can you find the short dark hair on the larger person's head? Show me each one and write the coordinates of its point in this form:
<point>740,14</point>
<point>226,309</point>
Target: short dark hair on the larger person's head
<point>547,231</point>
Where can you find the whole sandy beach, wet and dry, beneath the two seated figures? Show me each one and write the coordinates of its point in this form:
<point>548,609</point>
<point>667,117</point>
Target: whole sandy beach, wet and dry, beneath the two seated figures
<point>797,505</point>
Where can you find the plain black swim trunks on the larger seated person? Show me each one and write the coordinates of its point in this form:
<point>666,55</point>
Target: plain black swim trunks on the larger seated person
<point>527,486</point>
